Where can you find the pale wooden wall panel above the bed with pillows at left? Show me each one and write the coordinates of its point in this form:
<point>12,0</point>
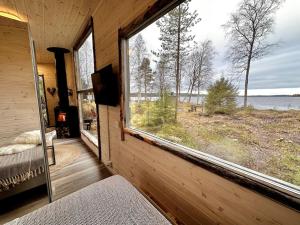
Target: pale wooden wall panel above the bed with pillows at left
<point>18,103</point>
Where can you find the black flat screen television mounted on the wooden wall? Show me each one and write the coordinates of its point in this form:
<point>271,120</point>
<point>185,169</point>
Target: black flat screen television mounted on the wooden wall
<point>105,87</point>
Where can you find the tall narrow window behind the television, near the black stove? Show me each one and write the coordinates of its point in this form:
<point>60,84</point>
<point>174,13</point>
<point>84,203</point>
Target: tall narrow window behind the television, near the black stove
<point>85,67</point>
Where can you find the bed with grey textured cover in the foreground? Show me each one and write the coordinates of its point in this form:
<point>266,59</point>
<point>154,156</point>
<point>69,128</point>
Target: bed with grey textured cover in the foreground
<point>110,201</point>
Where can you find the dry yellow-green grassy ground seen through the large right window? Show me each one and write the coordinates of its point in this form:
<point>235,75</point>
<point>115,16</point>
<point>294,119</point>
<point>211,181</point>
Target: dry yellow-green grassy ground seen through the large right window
<point>267,141</point>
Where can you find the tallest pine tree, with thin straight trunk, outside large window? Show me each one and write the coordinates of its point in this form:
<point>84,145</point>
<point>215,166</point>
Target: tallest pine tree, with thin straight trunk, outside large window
<point>175,36</point>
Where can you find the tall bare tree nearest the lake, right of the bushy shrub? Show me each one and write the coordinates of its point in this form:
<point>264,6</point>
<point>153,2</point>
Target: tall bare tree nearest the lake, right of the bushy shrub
<point>248,29</point>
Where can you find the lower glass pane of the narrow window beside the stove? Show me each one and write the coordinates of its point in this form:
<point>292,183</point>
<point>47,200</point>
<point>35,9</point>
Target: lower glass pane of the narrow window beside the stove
<point>89,113</point>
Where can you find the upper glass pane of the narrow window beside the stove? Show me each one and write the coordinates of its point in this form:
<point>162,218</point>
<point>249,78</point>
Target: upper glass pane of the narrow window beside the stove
<point>86,63</point>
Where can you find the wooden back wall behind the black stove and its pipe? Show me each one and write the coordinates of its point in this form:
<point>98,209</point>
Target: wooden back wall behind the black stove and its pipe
<point>49,72</point>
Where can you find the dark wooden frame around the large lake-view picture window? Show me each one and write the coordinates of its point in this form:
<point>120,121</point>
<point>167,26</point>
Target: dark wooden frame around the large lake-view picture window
<point>276,189</point>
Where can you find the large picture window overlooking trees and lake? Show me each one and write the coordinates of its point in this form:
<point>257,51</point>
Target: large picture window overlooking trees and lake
<point>221,79</point>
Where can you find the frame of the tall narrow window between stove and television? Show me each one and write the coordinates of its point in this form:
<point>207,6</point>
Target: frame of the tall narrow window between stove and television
<point>88,30</point>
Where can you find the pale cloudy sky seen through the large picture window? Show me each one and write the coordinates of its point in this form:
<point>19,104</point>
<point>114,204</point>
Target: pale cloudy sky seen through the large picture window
<point>276,73</point>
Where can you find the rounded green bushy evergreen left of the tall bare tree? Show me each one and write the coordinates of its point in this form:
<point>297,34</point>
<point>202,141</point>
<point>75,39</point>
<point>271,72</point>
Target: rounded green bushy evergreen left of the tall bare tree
<point>221,97</point>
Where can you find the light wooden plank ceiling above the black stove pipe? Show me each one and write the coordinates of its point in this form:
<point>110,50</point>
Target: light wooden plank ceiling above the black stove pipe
<point>52,22</point>
